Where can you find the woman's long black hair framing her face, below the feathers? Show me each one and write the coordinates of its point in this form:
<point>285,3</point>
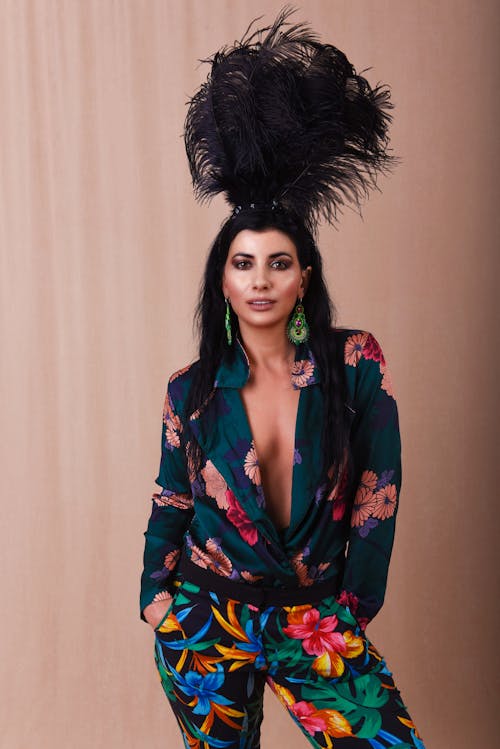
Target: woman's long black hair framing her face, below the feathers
<point>320,314</point>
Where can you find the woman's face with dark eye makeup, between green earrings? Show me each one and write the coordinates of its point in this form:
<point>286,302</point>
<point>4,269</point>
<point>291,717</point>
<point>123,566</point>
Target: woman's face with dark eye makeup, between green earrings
<point>262,278</point>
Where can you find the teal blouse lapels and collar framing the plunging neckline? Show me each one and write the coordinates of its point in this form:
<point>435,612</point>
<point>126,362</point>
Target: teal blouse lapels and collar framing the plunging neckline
<point>223,432</point>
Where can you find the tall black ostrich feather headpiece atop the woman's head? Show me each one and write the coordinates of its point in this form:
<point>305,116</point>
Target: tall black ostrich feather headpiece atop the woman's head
<point>285,120</point>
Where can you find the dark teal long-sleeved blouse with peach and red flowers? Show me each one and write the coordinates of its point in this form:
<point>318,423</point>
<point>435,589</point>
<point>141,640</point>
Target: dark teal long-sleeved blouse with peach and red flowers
<point>218,516</point>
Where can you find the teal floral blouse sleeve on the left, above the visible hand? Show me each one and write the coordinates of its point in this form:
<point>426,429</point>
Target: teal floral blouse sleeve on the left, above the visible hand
<point>171,513</point>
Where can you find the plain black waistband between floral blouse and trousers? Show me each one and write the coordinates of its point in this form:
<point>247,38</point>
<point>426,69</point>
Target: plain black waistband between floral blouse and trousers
<point>252,593</point>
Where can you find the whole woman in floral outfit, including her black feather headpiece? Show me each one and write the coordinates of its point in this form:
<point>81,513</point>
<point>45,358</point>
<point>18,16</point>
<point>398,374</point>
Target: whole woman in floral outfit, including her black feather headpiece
<point>280,444</point>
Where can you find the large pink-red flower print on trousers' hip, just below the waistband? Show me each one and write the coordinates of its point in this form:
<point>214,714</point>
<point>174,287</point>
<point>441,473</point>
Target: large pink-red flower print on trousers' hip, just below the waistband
<point>317,634</point>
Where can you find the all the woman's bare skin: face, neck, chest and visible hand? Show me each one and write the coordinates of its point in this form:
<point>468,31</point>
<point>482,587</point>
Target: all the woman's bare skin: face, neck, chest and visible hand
<point>264,266</point>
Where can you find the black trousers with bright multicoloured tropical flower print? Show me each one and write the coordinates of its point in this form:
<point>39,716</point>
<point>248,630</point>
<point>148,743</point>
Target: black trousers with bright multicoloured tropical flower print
<point>214,655</point>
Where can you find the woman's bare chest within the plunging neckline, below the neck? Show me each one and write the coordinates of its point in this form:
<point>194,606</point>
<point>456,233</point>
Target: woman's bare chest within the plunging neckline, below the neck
<point>271,405</point>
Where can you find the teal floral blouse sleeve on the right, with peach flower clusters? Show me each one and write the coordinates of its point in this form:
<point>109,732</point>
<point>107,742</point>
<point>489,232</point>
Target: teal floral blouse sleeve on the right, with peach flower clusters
<point>376,448</point>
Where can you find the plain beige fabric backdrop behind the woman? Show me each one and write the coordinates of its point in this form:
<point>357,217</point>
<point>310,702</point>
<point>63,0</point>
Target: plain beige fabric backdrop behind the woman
<point>102,247</point>
